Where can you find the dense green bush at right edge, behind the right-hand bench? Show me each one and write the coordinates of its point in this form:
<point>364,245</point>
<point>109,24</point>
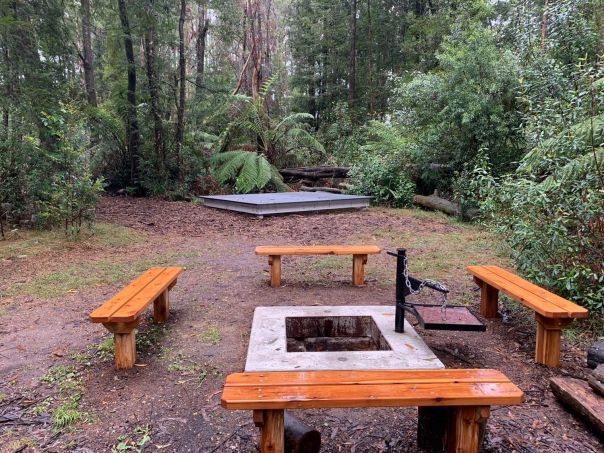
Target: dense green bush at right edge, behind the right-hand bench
<point>551,210</point>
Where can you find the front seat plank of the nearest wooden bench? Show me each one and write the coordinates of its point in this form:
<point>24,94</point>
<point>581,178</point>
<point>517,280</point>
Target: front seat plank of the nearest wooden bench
<point>398,394</point>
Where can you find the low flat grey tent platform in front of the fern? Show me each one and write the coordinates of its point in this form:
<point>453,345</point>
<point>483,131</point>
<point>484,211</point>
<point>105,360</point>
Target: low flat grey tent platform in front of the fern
<point>262,204</point>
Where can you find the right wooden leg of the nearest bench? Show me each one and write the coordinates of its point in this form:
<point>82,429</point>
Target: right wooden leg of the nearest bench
<point>466,428</point>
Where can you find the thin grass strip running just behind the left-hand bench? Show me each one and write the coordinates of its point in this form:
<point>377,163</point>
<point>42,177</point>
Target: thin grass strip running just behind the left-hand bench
<point>97,273</point>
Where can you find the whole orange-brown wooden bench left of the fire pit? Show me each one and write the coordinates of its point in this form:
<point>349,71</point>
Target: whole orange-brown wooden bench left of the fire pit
<point>121,314</point>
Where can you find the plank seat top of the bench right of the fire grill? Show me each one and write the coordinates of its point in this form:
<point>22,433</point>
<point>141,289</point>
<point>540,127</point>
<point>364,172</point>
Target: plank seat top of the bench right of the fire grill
<point>527,293</point>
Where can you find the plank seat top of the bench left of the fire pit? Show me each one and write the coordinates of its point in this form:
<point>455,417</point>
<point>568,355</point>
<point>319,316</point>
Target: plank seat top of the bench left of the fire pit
<point>127,305</point>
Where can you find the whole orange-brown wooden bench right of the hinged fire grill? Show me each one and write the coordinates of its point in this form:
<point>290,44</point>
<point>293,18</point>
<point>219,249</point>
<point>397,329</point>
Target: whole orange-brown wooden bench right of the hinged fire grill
<point>552,312</point>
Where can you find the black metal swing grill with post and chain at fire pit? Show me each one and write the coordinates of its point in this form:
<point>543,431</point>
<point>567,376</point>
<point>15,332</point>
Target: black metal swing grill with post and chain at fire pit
<point>429,316</point>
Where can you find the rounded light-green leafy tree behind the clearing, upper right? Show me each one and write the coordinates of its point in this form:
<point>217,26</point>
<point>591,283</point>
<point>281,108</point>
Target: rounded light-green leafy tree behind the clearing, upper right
<point>466,105</point>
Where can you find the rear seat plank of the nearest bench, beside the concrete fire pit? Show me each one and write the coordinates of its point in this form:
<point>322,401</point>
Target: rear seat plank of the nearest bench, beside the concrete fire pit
<point>383,377</point>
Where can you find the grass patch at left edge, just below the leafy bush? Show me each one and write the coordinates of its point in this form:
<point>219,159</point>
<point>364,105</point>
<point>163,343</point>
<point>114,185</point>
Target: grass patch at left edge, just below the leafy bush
<point>37,242</point>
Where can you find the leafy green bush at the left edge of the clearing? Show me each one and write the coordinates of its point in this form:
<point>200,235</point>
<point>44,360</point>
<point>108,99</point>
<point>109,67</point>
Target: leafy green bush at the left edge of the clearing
<point>51,181</point>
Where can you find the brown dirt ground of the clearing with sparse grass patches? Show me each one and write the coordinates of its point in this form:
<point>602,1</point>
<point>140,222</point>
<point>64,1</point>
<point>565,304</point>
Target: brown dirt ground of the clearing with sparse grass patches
<point>59,390</point>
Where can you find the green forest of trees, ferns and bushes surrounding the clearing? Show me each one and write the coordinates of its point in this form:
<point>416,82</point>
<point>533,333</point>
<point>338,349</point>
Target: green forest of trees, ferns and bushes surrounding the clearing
<point>498,105</point>
